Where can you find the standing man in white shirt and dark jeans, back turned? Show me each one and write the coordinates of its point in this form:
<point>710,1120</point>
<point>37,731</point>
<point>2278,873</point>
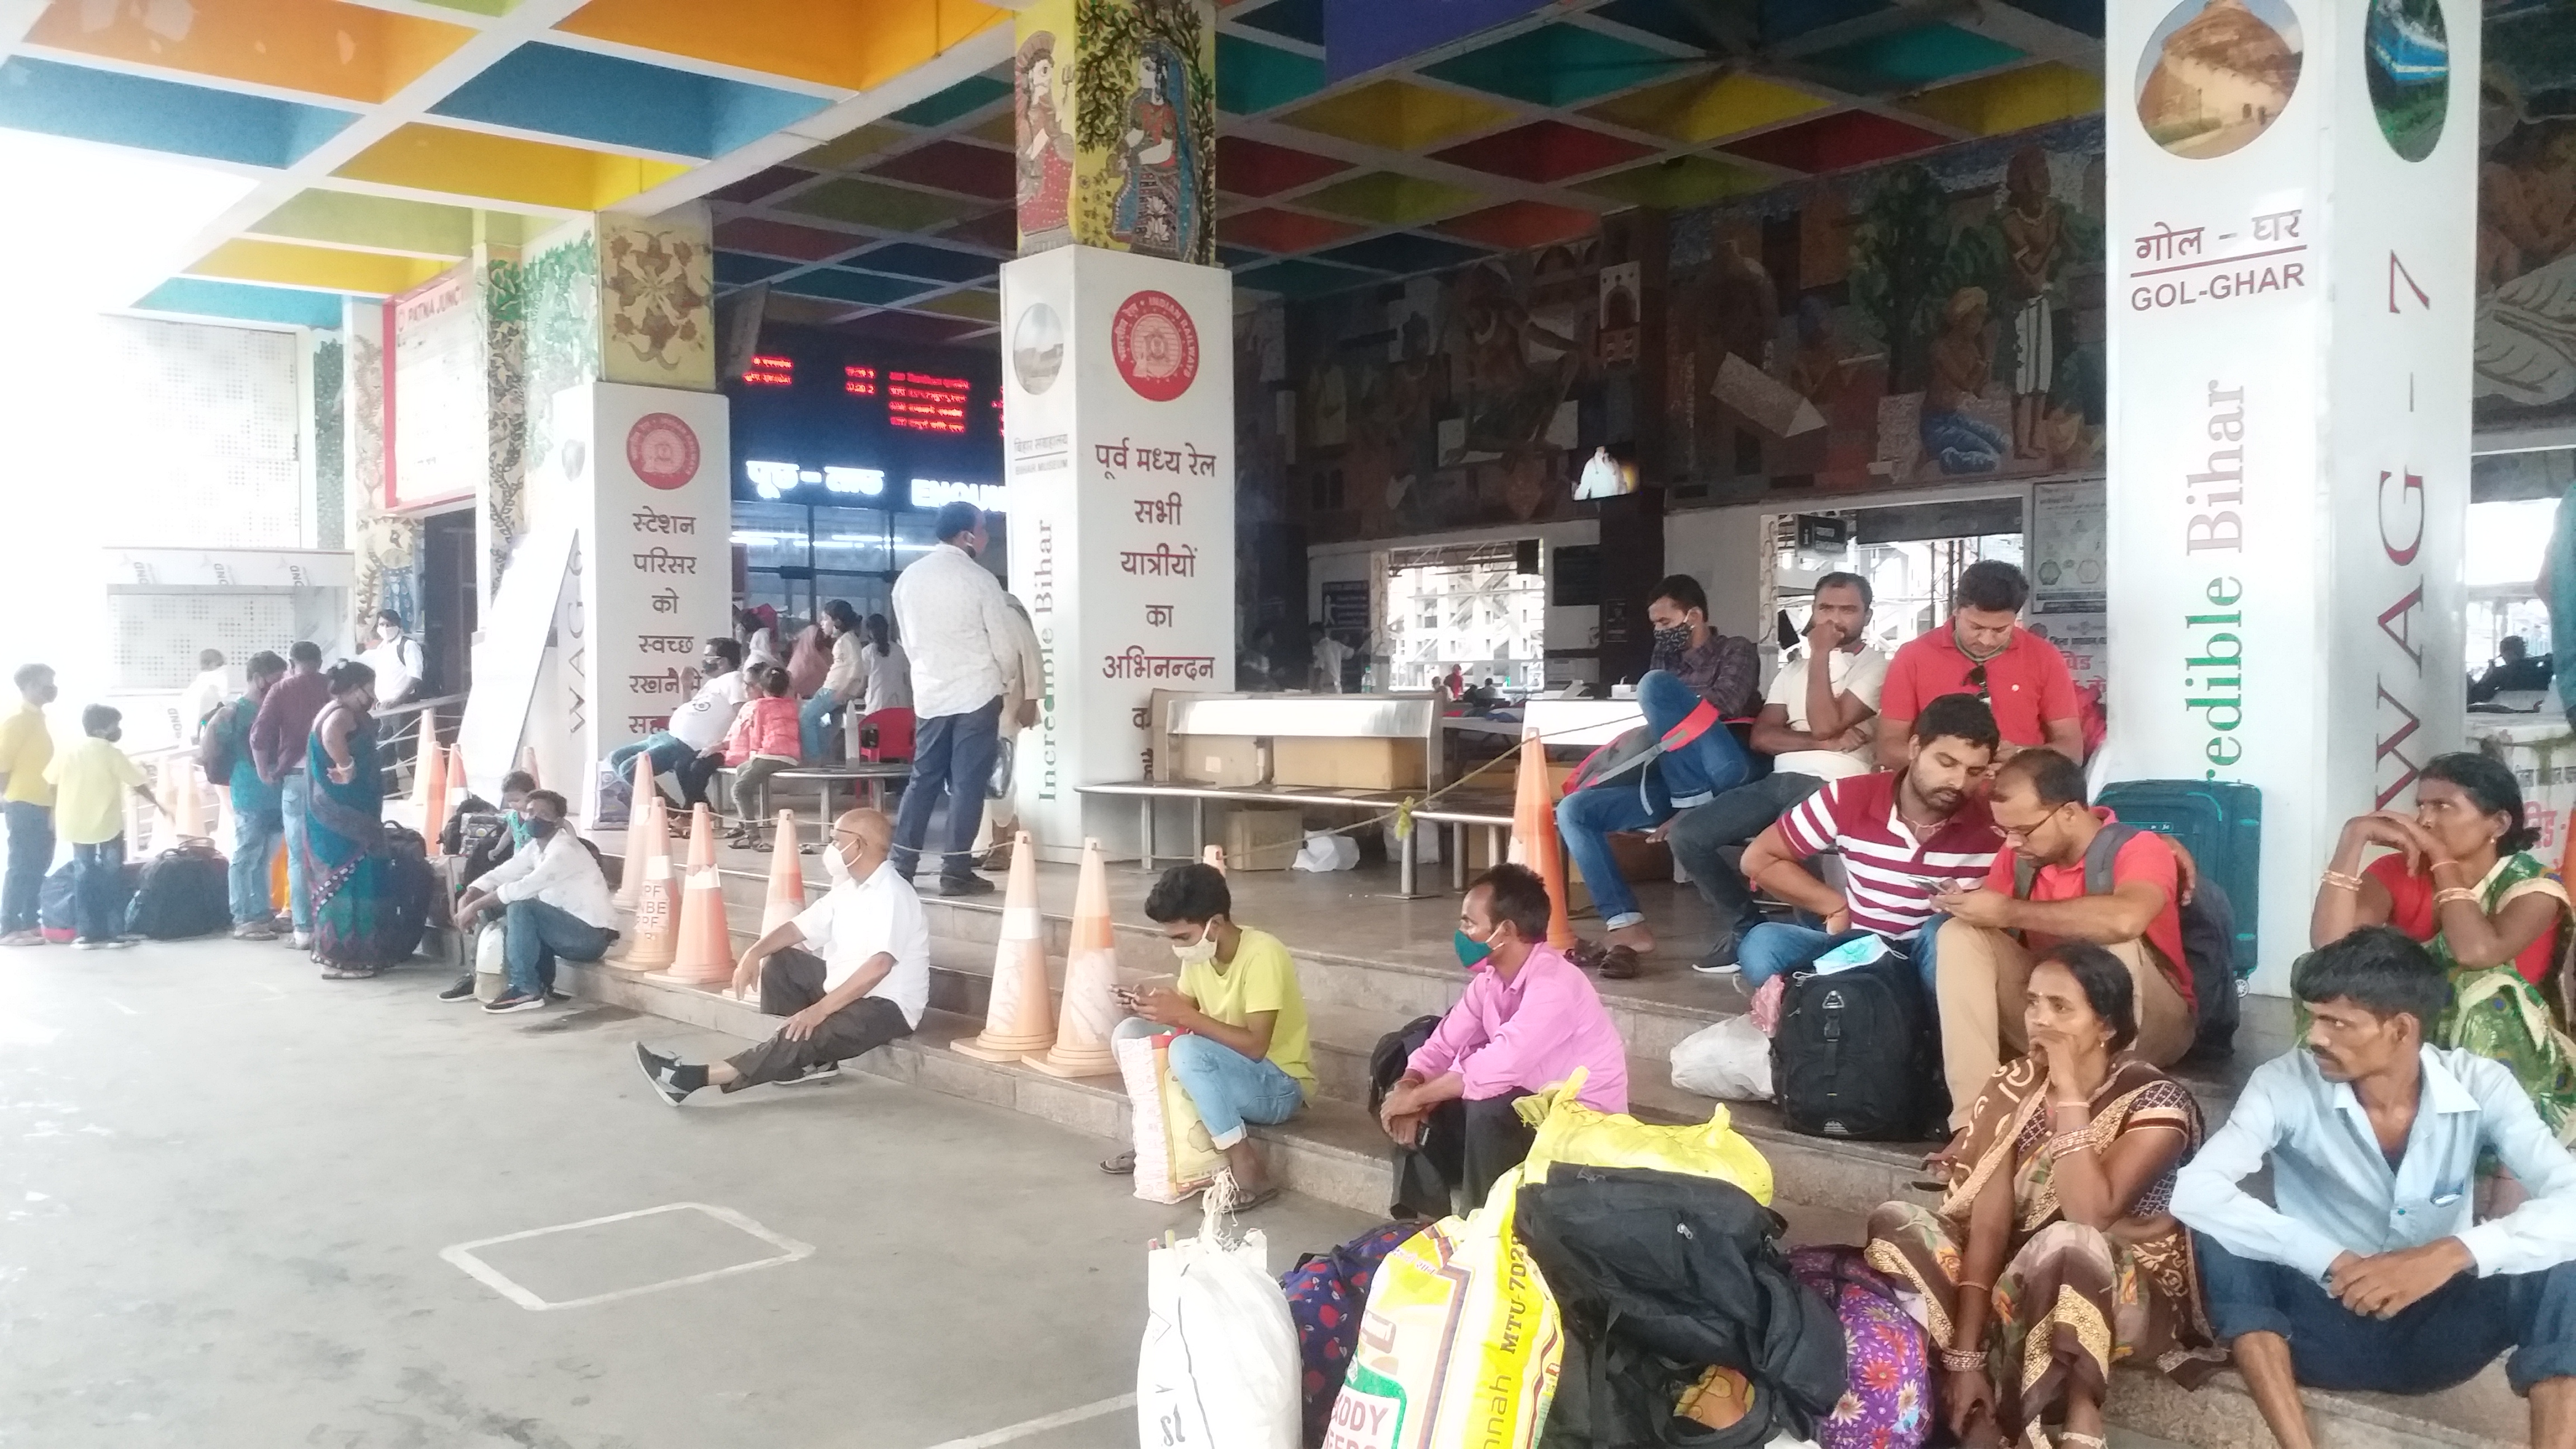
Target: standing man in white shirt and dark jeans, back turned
<point>962,638</point>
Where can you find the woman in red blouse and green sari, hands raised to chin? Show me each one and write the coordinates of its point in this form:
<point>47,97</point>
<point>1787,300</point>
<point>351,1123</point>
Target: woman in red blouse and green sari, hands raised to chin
<point>2464,883</point>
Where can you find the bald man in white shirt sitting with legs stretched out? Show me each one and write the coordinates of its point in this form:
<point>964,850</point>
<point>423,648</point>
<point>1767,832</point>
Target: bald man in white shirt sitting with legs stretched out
<point>851,973</point>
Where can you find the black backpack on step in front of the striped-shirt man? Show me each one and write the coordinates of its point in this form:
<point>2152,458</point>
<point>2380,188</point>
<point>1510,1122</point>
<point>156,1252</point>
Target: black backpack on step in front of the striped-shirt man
<point>1833,1064</point>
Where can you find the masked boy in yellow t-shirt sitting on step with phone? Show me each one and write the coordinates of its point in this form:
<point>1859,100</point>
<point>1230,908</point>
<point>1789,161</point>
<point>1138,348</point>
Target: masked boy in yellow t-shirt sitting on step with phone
<point>1245,1053</point>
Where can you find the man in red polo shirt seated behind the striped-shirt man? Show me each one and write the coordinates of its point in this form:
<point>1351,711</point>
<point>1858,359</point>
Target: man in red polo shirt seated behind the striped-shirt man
<point>1985,654</point>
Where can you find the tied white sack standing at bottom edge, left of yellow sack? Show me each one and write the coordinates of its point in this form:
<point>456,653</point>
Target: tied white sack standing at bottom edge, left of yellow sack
<point>1220,1365</point>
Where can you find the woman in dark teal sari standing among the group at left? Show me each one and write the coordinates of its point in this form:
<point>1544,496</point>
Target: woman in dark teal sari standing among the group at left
<point>346,855</point>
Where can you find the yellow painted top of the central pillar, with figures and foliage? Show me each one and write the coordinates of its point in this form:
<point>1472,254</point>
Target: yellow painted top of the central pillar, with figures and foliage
<point>1117,128</point>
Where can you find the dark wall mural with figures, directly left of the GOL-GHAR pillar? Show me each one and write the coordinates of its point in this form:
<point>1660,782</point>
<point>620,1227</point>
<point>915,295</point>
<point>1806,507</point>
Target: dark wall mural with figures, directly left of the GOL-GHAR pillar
<point>1918,324</point>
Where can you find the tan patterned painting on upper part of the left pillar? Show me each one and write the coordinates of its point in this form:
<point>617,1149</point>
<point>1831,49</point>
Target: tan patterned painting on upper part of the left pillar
<point>658,298</point>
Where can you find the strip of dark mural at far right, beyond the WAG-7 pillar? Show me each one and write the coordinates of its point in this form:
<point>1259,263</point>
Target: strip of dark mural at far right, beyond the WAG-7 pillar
<point>2526,344</point>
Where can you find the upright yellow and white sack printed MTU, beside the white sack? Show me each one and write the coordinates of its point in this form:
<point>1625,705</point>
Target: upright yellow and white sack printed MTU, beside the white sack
<point>1459,1345</point>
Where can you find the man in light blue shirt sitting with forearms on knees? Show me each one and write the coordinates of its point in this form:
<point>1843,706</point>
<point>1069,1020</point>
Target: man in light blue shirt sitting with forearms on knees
<point>2371,1275</point>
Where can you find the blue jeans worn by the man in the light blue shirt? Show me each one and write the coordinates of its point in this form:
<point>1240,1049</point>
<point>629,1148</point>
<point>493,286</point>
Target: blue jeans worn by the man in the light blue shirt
<point>2443,1339</point>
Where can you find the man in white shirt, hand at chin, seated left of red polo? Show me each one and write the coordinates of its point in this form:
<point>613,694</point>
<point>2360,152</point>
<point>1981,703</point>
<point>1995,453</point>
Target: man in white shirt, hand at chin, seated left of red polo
<point>1817,728</point>
